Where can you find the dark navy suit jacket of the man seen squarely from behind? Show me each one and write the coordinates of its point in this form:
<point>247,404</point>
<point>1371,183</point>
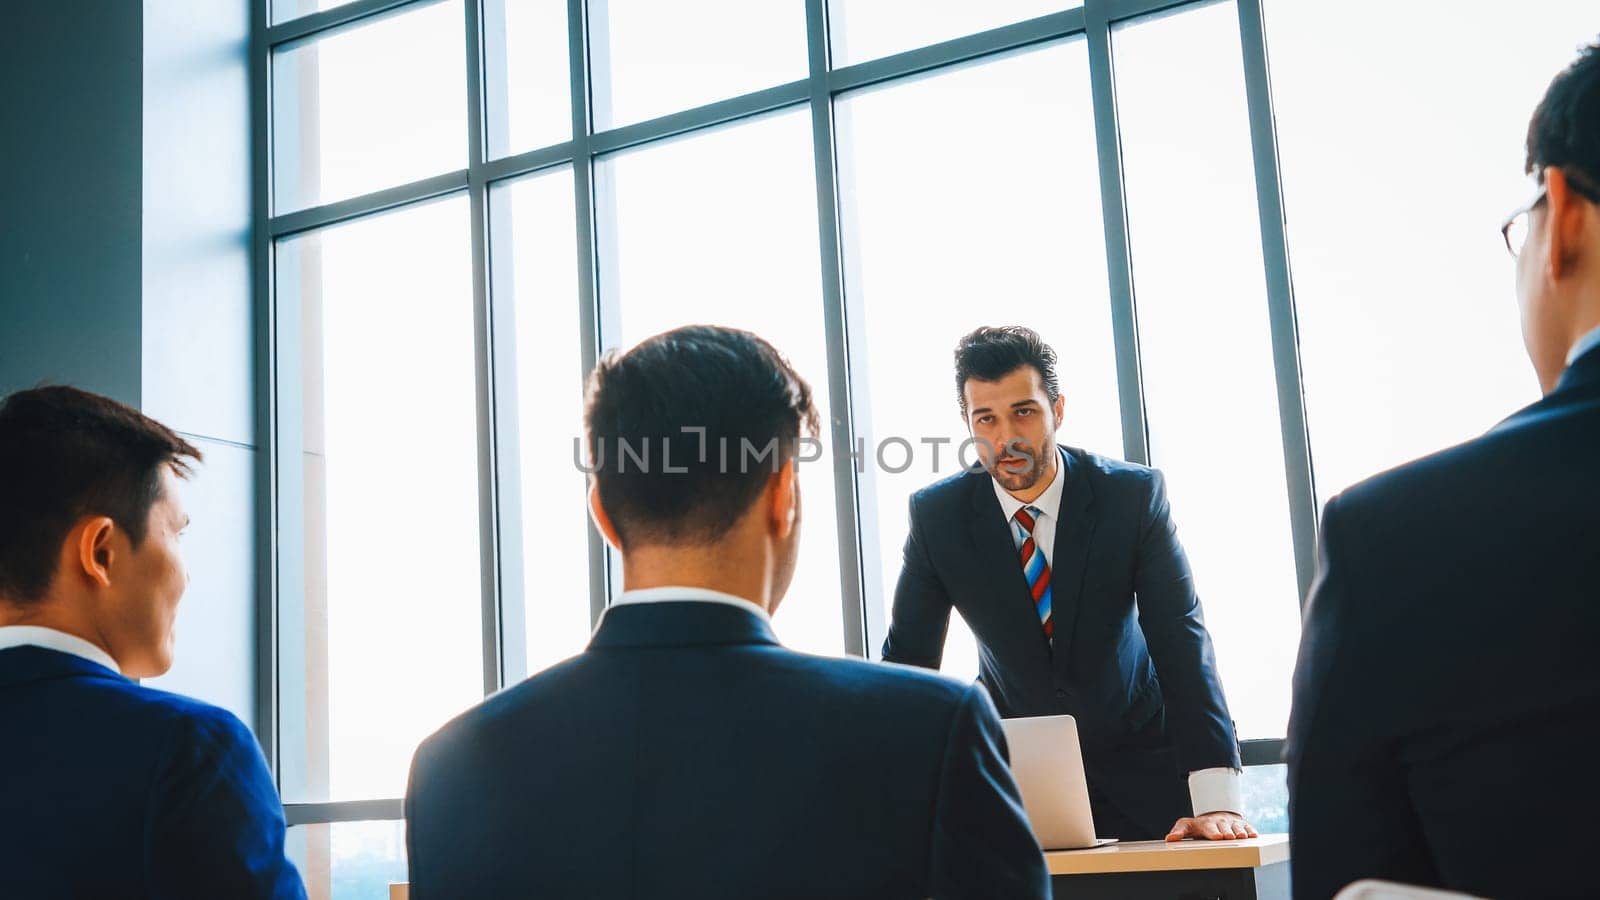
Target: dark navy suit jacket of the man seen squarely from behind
<point>689,755</point>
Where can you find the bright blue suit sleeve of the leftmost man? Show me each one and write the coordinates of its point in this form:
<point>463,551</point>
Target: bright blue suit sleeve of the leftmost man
<point>217,824</point>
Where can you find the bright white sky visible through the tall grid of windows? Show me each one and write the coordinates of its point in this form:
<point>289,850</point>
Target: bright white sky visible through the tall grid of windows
<point>967,198</point>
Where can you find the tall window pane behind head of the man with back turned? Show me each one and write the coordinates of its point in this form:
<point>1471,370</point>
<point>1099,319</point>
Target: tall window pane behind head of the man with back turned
<point>695,247</point>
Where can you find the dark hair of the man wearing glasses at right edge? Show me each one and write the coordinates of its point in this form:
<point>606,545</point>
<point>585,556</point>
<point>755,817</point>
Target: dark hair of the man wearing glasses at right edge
<point>1566,127</point>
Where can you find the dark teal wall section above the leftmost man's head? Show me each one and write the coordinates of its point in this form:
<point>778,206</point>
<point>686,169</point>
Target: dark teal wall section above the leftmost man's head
<point>70,201</point>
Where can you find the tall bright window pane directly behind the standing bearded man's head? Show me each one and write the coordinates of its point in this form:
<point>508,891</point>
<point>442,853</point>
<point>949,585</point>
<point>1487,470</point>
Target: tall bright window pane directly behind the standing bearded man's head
<point>942,241</point>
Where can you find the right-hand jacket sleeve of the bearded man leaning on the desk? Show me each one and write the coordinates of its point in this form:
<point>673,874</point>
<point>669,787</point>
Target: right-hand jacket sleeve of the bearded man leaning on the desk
<point>1180,645</point>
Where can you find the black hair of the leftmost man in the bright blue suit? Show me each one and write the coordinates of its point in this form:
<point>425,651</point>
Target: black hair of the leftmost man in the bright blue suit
<point>66,454</point>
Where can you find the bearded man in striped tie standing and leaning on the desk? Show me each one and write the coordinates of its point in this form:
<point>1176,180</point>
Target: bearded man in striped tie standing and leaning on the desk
<point>1070,573</point>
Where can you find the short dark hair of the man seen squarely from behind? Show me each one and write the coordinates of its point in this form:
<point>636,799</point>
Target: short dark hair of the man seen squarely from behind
<point>668,486</point>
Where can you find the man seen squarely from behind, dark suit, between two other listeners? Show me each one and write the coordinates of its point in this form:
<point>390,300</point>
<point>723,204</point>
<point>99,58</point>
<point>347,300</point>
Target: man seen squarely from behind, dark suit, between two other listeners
<point>687,753</point>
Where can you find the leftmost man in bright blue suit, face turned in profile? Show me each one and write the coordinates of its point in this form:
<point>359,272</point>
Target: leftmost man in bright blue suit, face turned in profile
<point>110,789</point>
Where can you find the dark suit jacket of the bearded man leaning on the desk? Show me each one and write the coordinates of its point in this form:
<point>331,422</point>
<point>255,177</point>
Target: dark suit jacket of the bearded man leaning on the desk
<point>1132,657</point>
